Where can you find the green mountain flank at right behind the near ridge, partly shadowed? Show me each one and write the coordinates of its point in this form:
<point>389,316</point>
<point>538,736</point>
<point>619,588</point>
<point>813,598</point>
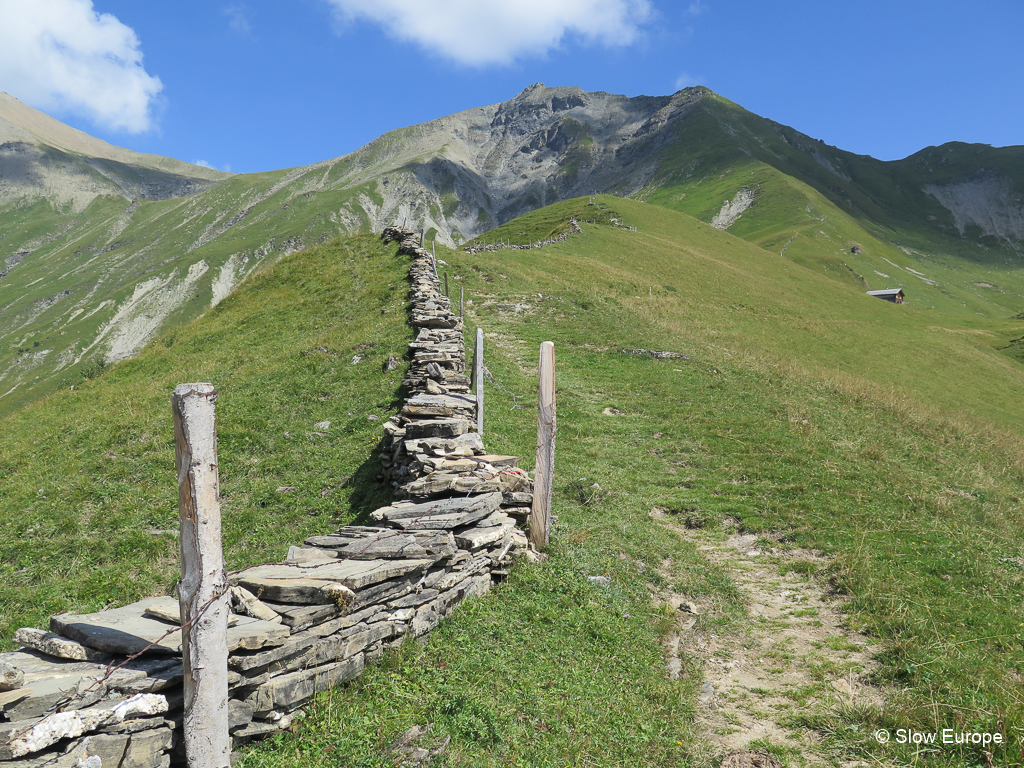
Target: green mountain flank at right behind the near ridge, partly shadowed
<point>857,220</point>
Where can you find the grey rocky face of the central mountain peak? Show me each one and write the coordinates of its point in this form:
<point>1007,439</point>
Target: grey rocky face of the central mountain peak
<point>468,173</point>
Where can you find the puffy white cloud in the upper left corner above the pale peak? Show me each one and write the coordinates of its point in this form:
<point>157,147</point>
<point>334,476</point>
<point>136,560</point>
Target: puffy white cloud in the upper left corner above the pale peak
<point>63,56</point>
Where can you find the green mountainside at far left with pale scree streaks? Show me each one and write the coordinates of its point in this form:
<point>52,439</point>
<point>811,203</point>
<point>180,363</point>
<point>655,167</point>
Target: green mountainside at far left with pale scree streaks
<point>103,282</point>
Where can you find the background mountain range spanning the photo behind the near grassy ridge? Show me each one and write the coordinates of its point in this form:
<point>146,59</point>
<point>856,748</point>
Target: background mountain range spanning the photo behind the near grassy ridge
<point>103,249</point>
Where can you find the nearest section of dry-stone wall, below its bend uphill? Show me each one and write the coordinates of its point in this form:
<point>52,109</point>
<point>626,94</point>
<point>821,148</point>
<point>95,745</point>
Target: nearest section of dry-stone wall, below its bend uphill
<point>296,628</point>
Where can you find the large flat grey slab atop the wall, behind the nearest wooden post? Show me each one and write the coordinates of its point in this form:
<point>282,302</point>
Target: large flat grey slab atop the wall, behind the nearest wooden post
<point>127,631</point>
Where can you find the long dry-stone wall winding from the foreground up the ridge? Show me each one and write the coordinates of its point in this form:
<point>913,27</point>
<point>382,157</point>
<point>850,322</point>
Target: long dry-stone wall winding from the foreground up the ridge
<point>105,691</point>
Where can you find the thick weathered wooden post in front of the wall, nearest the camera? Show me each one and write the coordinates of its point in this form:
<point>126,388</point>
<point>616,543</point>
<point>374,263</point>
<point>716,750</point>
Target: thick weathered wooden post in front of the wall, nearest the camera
<point>203,591</point>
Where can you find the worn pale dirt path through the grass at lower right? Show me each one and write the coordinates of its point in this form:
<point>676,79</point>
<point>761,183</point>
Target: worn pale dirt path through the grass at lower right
<point>792,655</point>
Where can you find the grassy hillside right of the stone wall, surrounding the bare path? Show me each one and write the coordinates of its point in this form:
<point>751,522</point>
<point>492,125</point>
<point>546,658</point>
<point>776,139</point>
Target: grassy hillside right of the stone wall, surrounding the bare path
<point>920,515</point>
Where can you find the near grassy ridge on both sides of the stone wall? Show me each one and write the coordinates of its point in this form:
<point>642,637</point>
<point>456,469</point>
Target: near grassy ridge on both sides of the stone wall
<point>884,437</point>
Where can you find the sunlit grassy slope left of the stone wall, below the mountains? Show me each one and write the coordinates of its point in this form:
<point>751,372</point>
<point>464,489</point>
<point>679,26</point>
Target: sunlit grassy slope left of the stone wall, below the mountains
<point>89,472</point>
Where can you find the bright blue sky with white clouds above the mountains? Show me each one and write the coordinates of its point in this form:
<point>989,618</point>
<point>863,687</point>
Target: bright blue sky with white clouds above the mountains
<point>251,86</point>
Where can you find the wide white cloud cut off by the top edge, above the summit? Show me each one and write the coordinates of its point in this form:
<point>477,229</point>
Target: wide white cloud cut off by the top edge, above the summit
<point>495,32</point>
